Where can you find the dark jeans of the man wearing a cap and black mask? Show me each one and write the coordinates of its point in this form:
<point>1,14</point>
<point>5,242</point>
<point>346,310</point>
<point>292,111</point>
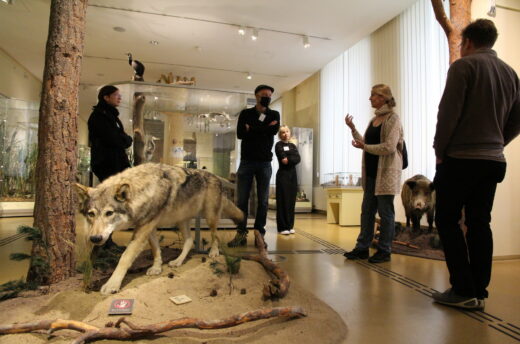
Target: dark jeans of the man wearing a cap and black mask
<point>261,171</point>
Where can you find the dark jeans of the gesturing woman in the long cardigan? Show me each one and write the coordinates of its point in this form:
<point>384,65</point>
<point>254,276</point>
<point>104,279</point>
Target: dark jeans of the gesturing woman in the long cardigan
<point>384,205</point>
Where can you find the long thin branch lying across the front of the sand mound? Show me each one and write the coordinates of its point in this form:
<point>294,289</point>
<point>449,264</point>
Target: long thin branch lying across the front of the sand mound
<point>132,331</point>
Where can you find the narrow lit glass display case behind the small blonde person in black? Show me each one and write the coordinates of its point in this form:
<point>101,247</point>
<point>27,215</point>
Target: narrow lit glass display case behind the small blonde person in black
<point>303,139</point>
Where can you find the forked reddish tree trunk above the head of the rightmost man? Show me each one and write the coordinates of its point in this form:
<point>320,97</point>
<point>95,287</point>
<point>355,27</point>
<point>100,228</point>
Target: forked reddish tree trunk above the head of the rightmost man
<point>460,17</point>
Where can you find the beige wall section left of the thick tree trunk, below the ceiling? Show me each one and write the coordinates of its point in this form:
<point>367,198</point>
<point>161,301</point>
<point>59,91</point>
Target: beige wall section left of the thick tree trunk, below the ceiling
<point>16,81</point>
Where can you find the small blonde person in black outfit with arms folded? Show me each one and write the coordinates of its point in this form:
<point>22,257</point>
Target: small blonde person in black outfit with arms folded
<point>286,181</point>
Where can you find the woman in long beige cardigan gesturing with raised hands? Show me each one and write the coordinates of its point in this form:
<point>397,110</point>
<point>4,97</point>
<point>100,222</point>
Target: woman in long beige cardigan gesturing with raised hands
<point>381,169</point>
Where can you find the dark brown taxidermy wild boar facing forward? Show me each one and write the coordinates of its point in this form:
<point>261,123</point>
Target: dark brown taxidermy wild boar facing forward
<point>418,196</point>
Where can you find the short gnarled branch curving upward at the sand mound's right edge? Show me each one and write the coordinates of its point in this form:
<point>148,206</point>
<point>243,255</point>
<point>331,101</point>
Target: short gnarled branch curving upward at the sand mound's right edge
<point>278,287</point>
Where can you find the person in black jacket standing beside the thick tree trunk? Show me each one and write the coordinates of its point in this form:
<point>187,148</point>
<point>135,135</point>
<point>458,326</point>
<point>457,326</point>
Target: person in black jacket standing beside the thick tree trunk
<point>107,136</point>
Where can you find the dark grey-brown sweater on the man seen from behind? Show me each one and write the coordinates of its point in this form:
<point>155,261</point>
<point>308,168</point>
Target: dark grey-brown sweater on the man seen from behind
<point>479,113</point>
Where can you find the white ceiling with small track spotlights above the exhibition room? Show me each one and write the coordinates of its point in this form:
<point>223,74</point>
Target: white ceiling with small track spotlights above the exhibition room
<point>196,40</point>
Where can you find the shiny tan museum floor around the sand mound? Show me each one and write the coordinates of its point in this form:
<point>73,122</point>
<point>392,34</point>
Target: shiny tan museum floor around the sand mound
<point>386,303</point>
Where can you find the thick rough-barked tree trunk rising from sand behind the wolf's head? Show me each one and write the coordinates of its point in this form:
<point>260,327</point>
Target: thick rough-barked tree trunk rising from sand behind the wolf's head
<point>54,210</point>
